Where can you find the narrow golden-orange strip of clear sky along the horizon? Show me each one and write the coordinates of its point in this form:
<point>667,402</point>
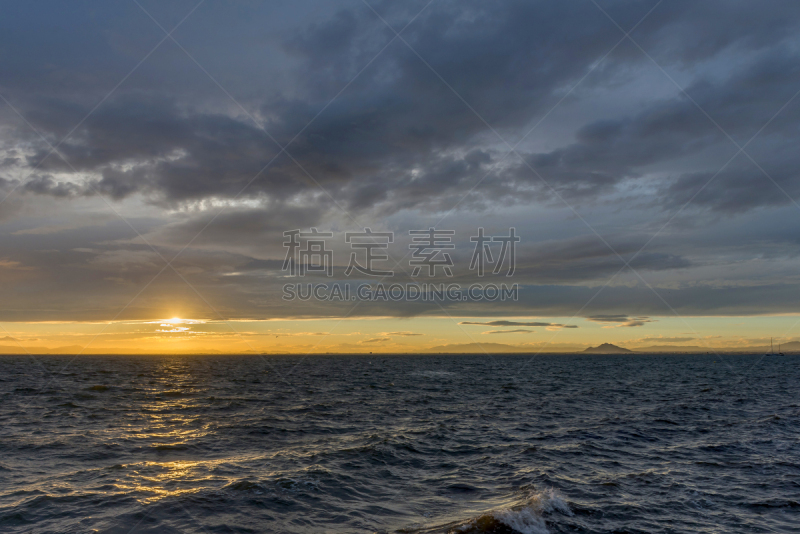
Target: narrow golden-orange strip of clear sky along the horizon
<point>178,335</point>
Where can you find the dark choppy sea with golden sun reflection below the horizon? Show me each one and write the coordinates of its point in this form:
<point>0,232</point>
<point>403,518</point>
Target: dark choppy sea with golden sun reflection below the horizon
<point>216,444</point>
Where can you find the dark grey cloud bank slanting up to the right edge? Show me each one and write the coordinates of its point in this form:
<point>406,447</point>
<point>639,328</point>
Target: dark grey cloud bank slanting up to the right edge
<point>610,150</point>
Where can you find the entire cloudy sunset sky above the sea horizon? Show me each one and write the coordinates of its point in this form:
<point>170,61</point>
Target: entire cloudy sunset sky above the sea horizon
<point>152,156</point>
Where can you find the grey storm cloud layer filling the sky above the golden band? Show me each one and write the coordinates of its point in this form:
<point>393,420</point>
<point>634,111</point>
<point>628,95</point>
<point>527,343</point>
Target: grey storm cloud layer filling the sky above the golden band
<point>397,138</point>
